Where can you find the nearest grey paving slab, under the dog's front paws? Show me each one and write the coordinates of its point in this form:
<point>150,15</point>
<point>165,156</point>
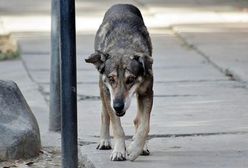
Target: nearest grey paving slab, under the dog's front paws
<point>222,151</point>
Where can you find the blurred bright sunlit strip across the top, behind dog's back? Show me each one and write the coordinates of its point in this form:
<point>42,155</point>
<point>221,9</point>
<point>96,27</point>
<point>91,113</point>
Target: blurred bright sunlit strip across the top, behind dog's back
<point>34,16</point>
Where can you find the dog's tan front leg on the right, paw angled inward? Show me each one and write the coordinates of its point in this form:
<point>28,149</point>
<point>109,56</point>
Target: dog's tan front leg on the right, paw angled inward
<point>144,109</point>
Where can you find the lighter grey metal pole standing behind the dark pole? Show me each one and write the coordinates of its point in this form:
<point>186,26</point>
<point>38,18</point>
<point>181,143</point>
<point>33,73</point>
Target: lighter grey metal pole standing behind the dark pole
<point>55,105</point>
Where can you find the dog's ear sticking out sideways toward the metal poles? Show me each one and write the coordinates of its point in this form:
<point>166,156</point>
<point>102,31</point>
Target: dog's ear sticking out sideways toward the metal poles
<point>98,59</point>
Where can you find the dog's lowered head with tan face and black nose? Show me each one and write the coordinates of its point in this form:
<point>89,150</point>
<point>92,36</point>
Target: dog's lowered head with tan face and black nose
<point>122,75</point>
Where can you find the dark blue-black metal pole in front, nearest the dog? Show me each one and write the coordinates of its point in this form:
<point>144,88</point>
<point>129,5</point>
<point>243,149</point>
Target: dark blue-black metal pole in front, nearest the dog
<point>68,84</point>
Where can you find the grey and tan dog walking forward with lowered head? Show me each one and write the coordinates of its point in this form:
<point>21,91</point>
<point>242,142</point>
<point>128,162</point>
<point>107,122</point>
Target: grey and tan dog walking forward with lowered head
<point>122,56</point>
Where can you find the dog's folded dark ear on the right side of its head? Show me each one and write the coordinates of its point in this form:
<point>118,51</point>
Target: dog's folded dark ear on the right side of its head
<point>146,61</point>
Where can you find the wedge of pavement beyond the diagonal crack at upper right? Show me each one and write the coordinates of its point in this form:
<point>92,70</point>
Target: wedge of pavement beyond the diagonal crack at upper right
<point>223,44</point>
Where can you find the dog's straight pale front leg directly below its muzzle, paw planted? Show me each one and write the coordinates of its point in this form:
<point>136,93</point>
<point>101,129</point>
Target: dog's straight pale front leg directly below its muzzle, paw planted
<point>119,152</point>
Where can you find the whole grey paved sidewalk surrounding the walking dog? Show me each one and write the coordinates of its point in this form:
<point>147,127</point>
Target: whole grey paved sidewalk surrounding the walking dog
<point>199,118</point>
